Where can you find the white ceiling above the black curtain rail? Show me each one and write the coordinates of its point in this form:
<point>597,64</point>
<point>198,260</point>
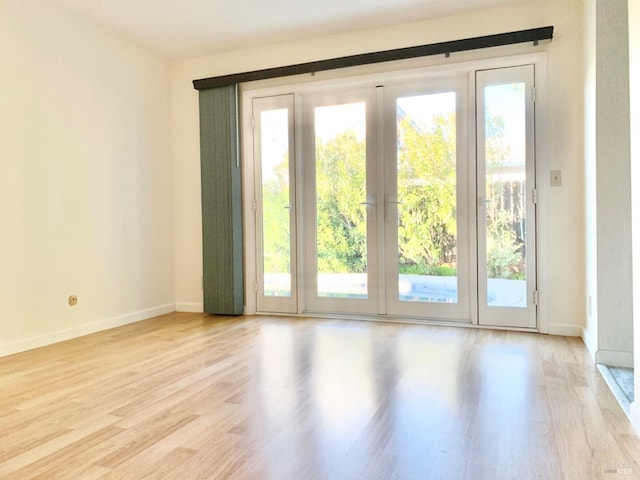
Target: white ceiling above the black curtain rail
<point>182,28</point>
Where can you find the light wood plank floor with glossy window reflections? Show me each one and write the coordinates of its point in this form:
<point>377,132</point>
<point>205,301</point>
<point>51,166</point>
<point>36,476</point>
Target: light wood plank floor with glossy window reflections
<point>185,396</point>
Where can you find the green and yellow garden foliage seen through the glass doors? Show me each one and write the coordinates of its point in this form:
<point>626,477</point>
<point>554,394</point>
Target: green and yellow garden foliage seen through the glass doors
<point>427,223</point>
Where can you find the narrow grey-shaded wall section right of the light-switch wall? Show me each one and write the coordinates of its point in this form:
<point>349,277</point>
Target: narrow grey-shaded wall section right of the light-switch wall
<point>613,186</point>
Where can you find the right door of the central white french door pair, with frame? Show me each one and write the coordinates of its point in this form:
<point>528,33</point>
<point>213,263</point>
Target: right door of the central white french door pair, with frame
<point>427,254</point>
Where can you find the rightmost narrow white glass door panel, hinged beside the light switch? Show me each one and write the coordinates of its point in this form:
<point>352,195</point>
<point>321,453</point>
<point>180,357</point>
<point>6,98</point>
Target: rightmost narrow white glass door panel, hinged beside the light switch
<point>505,109</point>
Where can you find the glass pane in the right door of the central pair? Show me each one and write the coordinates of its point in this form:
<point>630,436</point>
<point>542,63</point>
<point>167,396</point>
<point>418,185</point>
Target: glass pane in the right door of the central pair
<point>426,198</point>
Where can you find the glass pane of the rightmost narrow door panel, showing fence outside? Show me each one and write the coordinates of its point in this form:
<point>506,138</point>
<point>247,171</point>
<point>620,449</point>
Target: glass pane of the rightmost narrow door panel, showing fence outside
<point>505,194</point>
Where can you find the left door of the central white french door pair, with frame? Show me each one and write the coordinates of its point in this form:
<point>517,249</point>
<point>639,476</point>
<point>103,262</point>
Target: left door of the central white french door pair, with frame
<point>340,202</point>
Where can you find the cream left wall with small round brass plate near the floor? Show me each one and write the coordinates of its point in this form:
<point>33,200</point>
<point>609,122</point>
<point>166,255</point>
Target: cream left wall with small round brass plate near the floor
<point>85,197</point>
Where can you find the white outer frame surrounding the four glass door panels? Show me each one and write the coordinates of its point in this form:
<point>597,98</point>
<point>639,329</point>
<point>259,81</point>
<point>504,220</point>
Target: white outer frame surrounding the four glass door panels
<point>429,67</point>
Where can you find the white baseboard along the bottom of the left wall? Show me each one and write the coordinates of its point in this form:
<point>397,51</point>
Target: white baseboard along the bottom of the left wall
<point>68,334</point>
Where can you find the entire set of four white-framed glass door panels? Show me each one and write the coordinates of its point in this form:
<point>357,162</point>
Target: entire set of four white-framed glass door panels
<point>408,200</point>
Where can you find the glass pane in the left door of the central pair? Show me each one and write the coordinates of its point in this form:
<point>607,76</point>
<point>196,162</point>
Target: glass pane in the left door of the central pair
<point>341,214</point>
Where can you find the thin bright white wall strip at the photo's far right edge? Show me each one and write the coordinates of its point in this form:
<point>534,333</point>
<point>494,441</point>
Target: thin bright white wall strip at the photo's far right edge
<point>634,76</point>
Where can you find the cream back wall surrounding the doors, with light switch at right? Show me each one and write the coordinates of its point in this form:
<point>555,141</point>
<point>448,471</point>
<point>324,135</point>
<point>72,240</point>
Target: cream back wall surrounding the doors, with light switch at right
<point>563,261</point>
